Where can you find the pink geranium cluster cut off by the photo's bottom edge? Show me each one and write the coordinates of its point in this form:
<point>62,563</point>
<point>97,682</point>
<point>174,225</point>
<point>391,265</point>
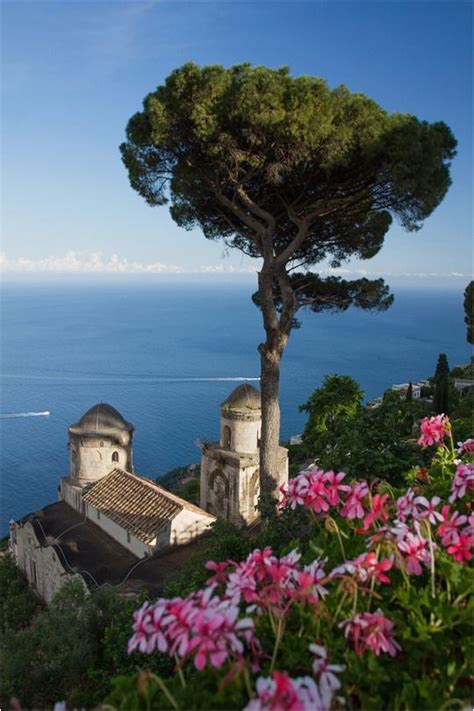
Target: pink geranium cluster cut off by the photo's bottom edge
<point>281,693</point>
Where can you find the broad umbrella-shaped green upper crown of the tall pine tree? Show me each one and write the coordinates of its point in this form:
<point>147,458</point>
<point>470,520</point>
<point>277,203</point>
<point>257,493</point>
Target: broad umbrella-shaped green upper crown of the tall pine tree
<point>245,149</point>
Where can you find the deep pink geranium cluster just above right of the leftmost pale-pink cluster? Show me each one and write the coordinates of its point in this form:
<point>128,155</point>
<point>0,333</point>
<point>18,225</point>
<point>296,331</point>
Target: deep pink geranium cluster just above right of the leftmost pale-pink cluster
<point>269,582</point>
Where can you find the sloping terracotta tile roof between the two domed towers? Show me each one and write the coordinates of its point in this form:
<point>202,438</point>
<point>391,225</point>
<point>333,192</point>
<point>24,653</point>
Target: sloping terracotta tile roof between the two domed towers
<point>135,503</point>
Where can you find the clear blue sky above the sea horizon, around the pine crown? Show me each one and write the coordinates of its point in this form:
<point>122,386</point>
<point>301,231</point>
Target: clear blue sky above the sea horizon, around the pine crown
<point>74,72</point>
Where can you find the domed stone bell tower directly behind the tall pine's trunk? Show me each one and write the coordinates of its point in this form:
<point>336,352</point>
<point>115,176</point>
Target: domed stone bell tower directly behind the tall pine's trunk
<point>230,484</point>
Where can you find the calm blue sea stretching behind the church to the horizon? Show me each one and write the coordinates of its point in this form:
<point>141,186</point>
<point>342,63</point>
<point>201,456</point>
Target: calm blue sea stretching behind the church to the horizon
<point>156,352</point>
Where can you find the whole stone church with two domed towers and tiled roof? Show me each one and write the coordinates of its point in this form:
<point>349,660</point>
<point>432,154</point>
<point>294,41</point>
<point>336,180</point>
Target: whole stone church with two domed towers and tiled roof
<point>113,527</point>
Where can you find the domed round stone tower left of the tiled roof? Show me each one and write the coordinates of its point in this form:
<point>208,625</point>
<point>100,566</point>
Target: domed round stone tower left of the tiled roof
<point>100,442</point>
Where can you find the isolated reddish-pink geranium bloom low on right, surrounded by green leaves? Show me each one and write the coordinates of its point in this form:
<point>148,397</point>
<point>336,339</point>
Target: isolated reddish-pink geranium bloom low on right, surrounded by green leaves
<point>371,630</point>
